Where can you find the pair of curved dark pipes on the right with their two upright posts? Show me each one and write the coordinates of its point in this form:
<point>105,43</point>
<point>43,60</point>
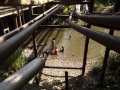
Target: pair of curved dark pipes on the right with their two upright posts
<point>111,21</point>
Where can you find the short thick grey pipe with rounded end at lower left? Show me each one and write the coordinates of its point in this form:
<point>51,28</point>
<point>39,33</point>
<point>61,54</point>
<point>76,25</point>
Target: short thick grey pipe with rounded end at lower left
<point>20,78</point>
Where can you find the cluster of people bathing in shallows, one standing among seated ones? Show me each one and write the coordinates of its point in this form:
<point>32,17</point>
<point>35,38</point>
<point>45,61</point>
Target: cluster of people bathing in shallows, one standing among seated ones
<point>53,50</point>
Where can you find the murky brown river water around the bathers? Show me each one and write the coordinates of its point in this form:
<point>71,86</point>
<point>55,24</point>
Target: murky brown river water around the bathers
<point>74,48</point>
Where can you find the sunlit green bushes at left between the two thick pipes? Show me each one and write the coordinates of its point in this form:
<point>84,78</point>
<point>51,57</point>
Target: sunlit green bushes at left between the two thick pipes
<point>13,63</point>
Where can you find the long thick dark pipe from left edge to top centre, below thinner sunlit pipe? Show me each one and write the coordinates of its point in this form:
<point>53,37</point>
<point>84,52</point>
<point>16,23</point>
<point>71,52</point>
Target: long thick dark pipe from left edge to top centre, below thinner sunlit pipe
<point>15,42</point>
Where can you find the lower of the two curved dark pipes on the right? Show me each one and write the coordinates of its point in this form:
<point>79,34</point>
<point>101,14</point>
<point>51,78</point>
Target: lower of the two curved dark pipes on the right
<point>112,42</point>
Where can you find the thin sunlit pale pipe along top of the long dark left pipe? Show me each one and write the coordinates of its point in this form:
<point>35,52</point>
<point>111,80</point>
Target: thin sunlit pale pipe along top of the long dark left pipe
<point>8,35</point>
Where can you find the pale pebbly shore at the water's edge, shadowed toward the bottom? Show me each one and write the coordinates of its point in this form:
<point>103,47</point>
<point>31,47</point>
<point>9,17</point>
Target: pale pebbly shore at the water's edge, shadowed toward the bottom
<point>54,78</point>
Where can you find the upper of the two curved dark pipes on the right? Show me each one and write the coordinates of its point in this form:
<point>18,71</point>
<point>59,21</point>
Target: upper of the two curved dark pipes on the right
<point>108,20</point>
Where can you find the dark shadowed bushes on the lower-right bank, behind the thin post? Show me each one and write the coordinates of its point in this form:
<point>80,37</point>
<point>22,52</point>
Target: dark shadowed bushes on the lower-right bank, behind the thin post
<point>112,79</point>
